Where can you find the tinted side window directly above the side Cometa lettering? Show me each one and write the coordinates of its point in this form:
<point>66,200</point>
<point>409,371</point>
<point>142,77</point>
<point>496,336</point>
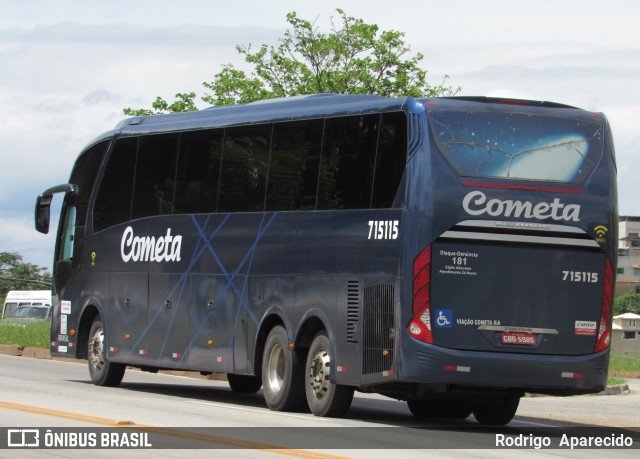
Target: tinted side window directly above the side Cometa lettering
<point>155,175</point>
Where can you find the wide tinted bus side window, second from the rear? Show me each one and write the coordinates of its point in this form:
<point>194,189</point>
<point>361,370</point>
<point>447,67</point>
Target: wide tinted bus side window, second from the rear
<point>347,162</point>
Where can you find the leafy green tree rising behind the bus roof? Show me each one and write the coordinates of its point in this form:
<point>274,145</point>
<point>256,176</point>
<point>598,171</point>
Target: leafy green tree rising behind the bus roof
<point>353,58</point>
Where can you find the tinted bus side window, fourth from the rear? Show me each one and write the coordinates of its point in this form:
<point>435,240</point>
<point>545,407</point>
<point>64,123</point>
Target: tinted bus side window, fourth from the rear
<point>245,161</point>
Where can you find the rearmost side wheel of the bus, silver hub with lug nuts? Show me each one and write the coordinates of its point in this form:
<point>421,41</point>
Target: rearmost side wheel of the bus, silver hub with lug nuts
<point>324,397</point>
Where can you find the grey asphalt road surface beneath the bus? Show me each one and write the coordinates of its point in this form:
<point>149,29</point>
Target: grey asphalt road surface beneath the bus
<point>58,395</point>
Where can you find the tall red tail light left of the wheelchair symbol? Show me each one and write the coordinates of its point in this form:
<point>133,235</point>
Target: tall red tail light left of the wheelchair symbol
<point>420,325</point>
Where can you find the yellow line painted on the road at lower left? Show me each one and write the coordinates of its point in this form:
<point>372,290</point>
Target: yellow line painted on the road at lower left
<point>216,439</point>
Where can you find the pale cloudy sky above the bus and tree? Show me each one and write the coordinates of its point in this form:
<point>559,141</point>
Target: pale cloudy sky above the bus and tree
<point>69,67</point>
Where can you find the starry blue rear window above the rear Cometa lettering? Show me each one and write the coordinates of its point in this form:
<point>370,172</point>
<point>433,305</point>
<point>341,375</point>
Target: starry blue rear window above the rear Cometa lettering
<point>517,145</point>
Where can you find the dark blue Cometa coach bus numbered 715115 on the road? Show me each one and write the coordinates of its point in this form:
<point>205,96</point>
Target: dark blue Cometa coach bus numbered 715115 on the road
<point>455,253</point>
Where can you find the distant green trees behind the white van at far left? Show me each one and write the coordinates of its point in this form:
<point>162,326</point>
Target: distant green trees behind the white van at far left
<point>17,275</point>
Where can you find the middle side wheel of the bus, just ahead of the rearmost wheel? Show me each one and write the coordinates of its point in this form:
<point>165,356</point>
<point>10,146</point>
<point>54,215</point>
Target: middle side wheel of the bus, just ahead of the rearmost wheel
<point>282,376</point>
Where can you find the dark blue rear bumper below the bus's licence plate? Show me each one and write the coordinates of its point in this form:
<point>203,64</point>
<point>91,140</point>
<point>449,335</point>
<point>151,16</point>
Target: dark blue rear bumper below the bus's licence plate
<point>535,373</point>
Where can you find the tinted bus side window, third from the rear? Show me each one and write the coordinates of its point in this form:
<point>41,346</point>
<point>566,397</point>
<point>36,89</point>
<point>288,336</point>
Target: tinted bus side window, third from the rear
<point>293,169</point>
